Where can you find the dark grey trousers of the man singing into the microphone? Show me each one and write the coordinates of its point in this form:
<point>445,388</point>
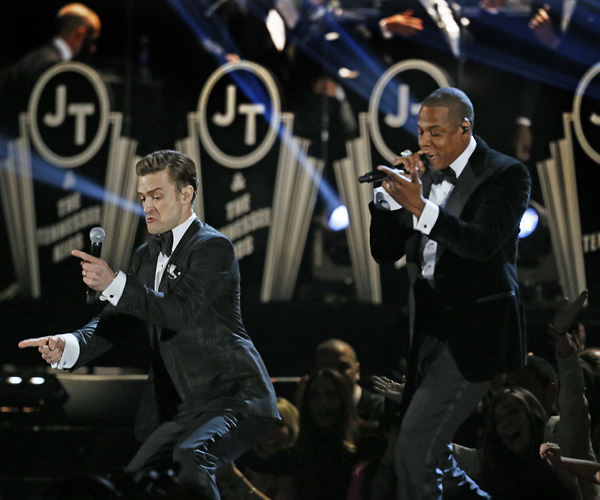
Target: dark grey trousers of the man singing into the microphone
<point>441,402</point>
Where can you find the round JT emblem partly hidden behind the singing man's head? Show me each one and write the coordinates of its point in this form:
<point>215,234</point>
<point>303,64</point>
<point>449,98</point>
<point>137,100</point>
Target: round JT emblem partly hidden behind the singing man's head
<point>396,100</point>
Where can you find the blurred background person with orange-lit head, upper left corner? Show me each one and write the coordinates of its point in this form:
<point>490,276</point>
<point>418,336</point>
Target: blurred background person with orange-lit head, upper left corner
<point>77,31</point>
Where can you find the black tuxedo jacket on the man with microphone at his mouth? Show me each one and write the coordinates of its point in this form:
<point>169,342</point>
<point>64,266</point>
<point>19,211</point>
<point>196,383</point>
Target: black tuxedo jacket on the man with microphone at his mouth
<point>478,304</point>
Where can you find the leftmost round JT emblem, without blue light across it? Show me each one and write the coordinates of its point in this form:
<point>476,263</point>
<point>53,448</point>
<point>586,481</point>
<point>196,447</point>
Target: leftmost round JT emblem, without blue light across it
<point>69,114</point>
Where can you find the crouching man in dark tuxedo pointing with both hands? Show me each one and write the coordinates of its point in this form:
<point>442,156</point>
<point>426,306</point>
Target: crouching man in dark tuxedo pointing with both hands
<point>208,397</point>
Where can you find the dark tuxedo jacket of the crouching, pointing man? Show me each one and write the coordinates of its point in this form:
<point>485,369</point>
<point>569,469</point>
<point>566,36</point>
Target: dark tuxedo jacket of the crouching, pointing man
<point>204,361</point>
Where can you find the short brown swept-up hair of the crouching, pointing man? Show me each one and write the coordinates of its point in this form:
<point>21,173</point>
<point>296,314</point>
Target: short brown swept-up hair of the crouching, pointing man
<point>181,168</point>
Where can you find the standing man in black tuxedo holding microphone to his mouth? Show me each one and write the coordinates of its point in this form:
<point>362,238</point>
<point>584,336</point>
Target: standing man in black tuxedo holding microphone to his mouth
<point>460,242</point>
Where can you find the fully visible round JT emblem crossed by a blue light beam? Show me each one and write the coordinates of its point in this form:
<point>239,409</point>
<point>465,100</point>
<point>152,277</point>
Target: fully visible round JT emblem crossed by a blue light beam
<point>239,112</point>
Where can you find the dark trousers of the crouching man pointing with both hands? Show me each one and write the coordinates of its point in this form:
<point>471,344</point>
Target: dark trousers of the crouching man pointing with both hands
<point>195,444</point>
